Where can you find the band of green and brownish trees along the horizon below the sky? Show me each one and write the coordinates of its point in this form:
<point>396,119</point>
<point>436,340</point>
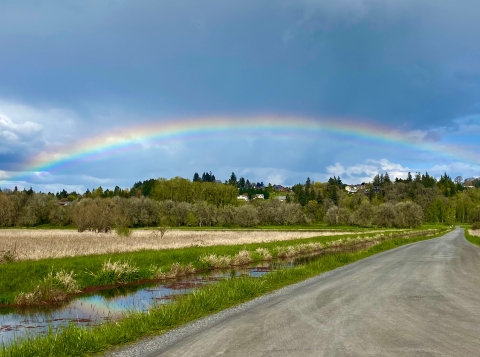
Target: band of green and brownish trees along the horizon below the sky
<point>180,202</point>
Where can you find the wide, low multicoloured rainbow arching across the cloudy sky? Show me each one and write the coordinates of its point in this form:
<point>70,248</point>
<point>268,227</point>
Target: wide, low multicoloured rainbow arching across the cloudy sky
<point>165,132</point>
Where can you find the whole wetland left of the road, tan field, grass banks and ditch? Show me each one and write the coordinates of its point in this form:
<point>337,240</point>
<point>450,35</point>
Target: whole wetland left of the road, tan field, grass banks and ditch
<point>57,269</point>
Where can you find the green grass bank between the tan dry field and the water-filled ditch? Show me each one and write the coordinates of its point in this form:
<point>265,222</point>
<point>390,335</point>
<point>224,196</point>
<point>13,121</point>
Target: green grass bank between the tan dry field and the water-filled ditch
<point>25,276</point>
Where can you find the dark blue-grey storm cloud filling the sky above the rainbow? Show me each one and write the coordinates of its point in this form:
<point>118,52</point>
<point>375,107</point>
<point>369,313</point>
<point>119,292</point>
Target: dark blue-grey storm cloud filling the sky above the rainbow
<point>407,63</point>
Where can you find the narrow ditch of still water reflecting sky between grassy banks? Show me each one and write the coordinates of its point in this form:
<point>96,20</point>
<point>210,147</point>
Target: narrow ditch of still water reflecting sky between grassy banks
<point>95,308</point>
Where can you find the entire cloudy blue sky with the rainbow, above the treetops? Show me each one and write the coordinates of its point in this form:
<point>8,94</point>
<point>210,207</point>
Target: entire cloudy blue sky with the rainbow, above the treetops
<point>106,93</point>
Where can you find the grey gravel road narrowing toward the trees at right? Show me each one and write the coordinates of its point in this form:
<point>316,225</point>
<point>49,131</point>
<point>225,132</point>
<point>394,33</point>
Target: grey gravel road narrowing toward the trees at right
<point>418,300</point>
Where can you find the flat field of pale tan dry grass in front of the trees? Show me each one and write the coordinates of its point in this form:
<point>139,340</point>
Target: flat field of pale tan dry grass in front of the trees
<point>39,244</point>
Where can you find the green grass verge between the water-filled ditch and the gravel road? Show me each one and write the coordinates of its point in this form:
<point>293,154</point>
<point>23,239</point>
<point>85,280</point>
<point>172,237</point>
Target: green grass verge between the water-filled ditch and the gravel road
<point>77,341</point>
